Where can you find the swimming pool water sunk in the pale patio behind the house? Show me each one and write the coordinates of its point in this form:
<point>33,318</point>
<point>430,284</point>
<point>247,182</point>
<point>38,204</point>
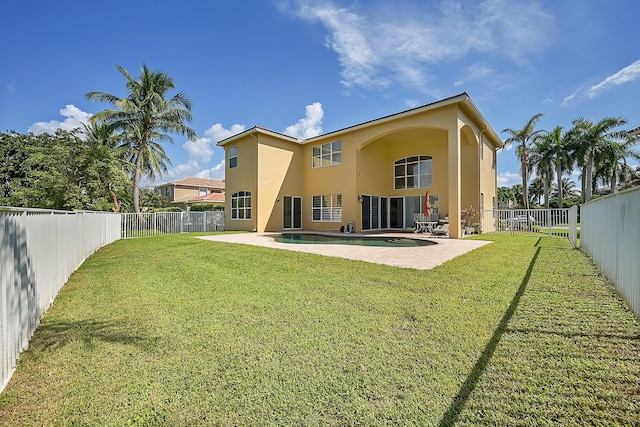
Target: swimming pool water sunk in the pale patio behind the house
<point>389,242</point>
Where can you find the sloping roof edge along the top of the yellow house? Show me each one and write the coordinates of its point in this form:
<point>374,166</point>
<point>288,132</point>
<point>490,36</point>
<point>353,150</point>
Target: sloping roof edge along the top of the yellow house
<point>462,98</point>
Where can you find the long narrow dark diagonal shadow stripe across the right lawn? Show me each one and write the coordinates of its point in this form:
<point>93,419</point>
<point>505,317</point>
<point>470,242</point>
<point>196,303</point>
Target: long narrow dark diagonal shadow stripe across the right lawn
<point>460,400</point>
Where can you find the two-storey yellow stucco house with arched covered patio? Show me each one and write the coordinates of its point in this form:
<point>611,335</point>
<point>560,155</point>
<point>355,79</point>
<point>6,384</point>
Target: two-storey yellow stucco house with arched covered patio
<point>373,174</point>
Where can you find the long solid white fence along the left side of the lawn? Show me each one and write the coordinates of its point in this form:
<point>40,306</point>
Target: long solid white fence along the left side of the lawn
<point>39,250</point>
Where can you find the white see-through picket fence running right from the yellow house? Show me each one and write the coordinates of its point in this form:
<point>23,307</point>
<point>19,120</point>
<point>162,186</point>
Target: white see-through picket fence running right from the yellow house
<point>547,222</point>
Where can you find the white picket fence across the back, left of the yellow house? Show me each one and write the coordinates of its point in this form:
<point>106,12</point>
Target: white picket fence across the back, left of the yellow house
<point>152,224</point>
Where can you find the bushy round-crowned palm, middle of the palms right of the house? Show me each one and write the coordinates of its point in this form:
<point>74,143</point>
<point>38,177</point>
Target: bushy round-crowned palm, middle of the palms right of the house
<point>550,155</point>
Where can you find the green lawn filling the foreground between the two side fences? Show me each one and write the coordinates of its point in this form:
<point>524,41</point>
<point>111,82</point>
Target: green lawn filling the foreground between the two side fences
<point>174,330</point>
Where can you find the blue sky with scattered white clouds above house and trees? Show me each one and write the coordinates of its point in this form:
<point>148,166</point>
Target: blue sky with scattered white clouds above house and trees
<point>309,67</point>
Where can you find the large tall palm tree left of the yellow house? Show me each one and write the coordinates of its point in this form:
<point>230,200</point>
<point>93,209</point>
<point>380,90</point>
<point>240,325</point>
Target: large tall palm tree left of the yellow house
<point>145,118</point>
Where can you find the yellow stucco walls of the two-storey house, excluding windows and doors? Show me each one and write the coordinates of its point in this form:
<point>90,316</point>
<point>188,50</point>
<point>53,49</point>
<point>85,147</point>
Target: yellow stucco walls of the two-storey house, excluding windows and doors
<point>273,167</point>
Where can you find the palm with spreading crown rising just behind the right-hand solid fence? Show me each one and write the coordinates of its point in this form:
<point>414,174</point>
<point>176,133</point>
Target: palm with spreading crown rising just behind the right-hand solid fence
<point>589,140</point>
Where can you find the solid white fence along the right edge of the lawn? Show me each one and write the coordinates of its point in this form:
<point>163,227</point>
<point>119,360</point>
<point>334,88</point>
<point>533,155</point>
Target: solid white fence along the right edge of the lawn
<point>611,236</point>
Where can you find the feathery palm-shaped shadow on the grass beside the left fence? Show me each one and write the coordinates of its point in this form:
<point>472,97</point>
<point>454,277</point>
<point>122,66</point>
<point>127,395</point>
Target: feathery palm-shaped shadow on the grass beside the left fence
<point>54,335</point>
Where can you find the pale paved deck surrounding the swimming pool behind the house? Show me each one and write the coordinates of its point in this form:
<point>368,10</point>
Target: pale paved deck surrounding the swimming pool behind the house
<point>419,257</point>
